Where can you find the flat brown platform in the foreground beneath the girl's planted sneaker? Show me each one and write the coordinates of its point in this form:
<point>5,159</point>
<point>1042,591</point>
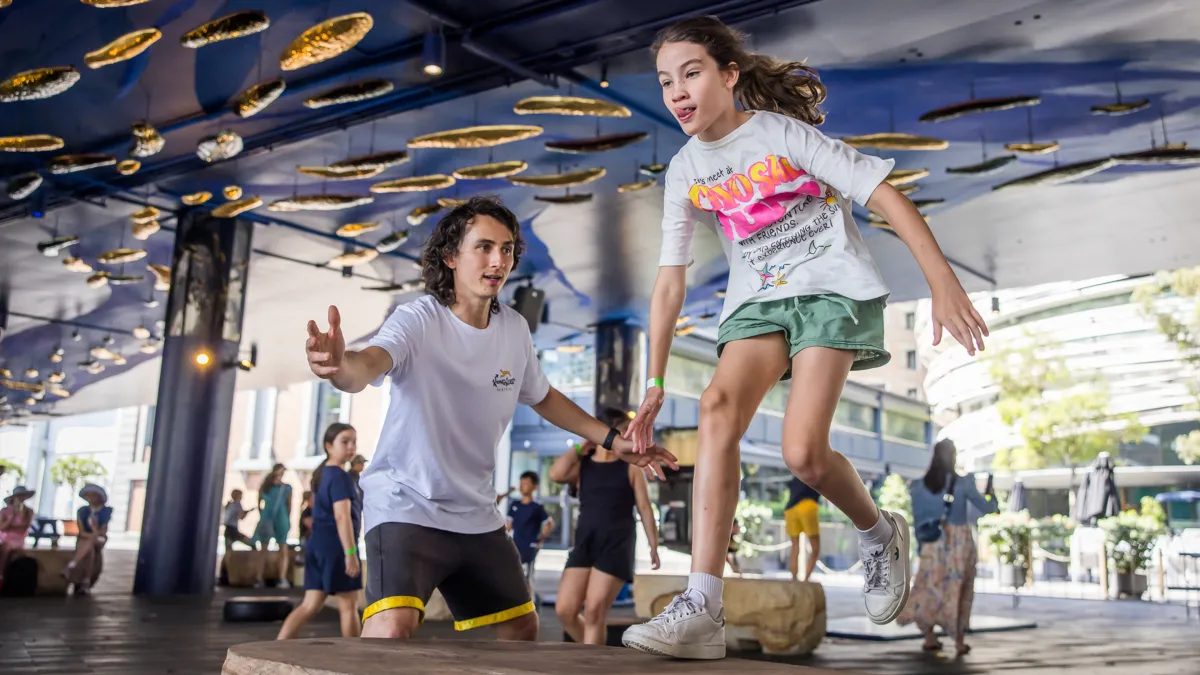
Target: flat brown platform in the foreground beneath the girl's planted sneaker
<point>455,658</point>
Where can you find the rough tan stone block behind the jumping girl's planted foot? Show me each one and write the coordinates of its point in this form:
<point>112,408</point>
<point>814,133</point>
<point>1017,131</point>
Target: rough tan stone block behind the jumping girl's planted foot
<point>783,617</point>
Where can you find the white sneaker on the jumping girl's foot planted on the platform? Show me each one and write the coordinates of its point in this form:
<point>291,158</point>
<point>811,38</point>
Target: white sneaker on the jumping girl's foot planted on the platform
<point>685,630</point>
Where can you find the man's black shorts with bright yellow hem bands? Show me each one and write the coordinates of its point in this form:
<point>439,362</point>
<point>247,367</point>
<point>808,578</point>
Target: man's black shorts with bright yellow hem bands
<point>479,576</point>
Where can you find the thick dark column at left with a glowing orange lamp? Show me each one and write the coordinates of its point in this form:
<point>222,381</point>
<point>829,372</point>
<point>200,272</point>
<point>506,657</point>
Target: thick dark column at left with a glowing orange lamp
<point>196,387</point>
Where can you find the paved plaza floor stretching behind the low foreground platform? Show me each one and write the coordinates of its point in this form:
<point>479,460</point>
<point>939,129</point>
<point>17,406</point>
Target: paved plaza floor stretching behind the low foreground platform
<point>115,632</point>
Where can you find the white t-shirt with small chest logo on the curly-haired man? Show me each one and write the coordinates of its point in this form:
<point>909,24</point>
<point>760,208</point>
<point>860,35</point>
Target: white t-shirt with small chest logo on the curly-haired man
<point>455,390</point>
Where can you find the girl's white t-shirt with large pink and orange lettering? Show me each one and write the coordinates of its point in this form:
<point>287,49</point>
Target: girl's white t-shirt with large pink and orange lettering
<point>776,192</point>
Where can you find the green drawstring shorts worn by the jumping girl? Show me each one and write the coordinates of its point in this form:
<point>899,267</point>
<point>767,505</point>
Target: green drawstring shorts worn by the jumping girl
<point>814,321</point>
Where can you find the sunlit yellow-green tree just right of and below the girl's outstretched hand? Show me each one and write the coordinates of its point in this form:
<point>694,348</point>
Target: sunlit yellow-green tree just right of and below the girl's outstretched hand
<point>1063,417</point>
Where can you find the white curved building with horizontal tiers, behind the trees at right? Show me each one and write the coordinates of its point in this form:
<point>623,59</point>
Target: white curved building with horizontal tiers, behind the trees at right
<point>1099,332</point>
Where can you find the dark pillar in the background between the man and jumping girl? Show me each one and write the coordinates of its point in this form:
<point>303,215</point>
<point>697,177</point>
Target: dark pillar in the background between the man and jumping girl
<point>621,373</point>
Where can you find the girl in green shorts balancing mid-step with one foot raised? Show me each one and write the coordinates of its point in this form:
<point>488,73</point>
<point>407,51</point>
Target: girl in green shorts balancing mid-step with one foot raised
<point>805,300</point>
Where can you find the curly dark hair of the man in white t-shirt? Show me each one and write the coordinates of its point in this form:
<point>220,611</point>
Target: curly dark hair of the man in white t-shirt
<point>448,237</point>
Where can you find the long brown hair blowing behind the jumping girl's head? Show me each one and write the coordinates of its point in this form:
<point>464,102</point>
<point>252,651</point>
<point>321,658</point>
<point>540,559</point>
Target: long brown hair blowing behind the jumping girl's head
<point>789,88</point>
